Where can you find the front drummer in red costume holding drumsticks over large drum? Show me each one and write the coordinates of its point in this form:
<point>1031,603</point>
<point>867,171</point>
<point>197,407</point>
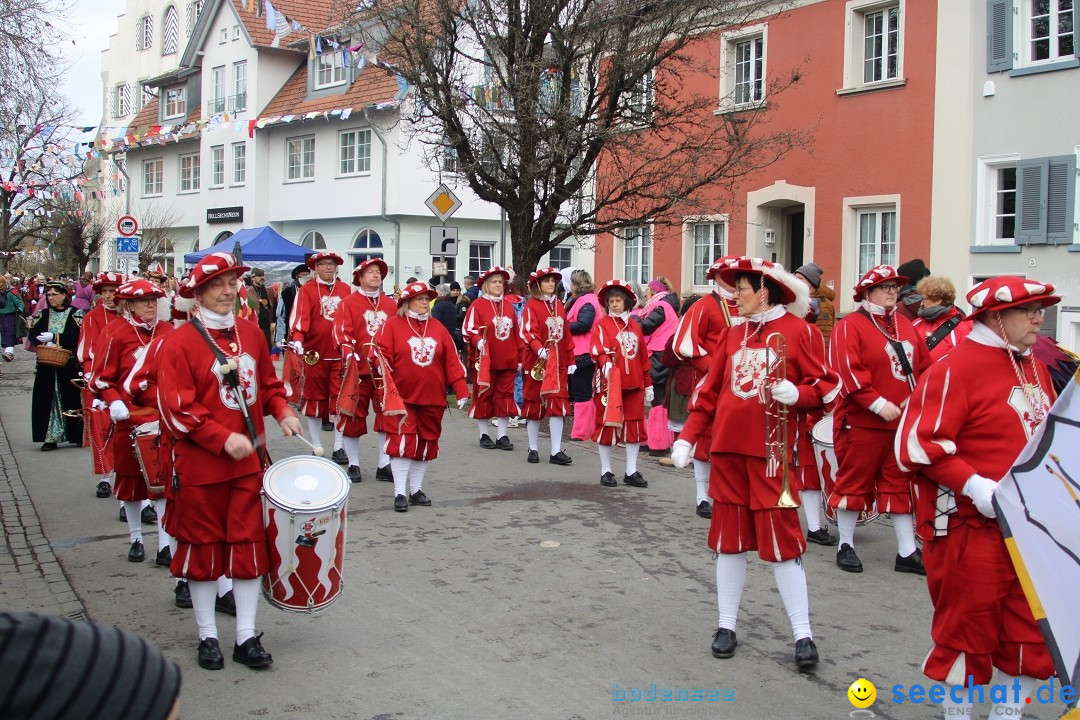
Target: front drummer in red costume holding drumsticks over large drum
<point>217,514</point>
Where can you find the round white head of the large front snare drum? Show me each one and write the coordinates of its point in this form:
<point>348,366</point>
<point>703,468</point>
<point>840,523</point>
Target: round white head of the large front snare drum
<point>306,484</point>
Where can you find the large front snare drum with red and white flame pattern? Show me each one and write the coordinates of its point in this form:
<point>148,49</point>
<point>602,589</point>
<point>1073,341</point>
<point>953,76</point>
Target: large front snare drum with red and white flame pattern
<point>305,500</point>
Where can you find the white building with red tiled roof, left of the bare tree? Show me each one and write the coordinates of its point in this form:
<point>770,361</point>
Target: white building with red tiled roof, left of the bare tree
<point>249,132</point>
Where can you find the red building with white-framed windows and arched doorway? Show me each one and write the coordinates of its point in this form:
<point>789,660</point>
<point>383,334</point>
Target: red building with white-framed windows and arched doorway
<point>858,195</point>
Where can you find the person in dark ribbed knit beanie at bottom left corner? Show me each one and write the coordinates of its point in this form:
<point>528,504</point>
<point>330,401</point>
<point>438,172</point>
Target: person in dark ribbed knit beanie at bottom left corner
<point>58,669</point>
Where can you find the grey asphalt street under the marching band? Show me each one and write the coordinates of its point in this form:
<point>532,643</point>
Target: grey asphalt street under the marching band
<point>523,592</point>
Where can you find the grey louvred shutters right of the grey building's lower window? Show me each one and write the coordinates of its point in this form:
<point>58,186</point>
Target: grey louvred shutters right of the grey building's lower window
<point>1046,200</point>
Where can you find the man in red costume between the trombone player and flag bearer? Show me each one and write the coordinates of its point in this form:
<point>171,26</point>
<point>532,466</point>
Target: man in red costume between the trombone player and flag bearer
<point>880,358</point>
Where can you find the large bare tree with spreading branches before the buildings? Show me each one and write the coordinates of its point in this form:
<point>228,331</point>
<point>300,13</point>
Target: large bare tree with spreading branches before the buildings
<point>576,117</point>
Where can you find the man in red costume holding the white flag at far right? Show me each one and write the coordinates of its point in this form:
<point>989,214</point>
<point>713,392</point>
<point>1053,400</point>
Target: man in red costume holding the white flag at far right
<point>968,420</point>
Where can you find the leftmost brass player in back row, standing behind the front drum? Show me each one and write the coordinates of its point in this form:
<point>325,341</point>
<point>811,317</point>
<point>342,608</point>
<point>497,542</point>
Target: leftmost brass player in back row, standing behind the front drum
<point>313,332</point>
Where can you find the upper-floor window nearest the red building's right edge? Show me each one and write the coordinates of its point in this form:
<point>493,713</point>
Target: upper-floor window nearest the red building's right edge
<point>873,52</point>
